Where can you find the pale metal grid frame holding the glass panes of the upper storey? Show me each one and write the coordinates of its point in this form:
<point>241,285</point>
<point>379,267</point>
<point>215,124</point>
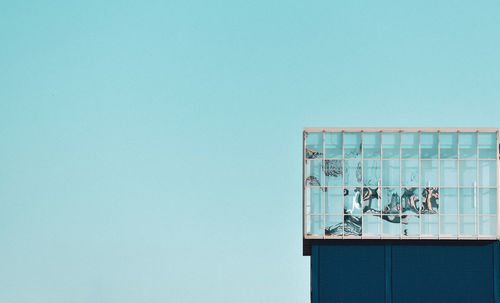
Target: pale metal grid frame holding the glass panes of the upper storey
<point>476,186</point>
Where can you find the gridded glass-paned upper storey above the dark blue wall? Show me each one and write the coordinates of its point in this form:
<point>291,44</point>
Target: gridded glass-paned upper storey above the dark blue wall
<point>407,183</point>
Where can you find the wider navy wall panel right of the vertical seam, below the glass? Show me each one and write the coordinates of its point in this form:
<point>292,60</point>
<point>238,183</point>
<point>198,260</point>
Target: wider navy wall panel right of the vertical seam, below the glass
<point>442,273</point>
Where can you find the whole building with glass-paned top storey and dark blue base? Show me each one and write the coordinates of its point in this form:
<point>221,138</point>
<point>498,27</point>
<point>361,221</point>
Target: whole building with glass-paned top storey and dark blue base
<point>402,214</point>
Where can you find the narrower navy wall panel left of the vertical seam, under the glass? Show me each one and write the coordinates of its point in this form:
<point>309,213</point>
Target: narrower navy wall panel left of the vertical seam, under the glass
<point>351,273</point>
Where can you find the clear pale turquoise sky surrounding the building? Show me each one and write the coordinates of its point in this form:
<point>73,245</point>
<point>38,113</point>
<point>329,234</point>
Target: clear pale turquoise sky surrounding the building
<point>151,150</point>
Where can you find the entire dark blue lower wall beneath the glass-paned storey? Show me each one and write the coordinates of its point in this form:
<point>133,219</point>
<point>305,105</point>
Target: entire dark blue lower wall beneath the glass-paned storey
<point>405,271</point>
